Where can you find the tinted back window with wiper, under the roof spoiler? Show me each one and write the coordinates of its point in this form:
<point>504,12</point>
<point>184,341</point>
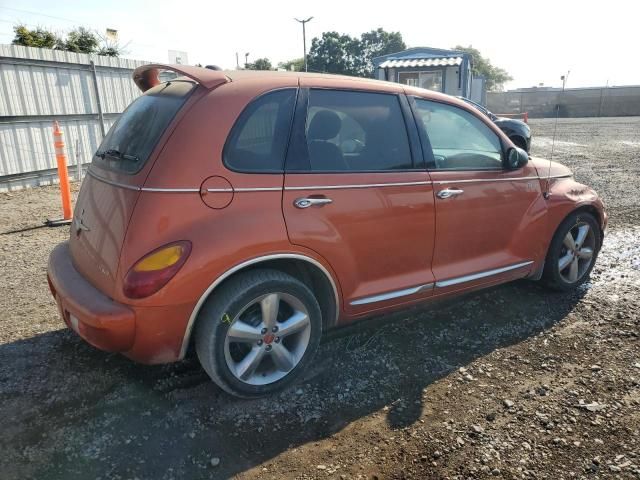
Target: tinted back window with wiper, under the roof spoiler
<point>130,141</point>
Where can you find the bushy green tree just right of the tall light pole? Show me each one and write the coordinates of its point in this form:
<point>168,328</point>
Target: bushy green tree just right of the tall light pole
<point>335,53</point>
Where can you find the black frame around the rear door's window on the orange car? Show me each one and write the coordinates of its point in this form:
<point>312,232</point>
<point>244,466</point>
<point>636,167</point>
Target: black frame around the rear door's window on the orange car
<point>298,138</point>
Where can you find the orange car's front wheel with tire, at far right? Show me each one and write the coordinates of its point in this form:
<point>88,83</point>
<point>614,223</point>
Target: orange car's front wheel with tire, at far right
<point>572,252</point>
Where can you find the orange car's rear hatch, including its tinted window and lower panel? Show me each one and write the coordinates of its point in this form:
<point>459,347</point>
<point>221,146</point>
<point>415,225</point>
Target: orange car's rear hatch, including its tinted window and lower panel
<point>116,175</point>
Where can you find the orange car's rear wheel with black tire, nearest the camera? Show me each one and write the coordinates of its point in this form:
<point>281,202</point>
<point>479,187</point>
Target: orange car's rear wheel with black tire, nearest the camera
<point>258,332</point>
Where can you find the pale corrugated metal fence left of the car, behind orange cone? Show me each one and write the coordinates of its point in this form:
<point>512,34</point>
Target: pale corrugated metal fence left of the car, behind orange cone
<point>37,86</point>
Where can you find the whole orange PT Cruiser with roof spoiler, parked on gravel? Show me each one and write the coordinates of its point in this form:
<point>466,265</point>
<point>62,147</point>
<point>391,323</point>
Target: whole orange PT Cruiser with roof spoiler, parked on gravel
<point>246,213</point>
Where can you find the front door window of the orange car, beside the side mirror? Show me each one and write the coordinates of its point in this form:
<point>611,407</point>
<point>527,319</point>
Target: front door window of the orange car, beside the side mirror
<point>459,139</point>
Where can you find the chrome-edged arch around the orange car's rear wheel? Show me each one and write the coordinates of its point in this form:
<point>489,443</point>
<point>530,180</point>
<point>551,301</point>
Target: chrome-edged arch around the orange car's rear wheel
<point>306,269</point>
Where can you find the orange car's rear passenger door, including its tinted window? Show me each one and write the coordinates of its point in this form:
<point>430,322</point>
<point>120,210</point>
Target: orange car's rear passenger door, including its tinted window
<point>356,192</point>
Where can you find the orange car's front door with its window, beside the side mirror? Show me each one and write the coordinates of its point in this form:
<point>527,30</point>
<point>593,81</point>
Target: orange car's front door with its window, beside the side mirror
<point>486,215</point>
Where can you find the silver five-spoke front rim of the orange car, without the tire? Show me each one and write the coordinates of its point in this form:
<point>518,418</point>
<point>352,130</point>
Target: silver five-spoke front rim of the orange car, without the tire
<point>577,251</point>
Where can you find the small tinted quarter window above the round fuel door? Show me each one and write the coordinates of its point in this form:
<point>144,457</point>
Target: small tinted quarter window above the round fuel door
<point>258,140</point>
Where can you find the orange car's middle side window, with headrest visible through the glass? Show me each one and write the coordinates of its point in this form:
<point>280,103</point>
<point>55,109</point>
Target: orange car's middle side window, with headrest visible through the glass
<point>356,131</point>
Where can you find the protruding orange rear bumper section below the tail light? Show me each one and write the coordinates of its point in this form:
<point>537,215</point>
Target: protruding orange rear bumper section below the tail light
<point>103,323</point>
